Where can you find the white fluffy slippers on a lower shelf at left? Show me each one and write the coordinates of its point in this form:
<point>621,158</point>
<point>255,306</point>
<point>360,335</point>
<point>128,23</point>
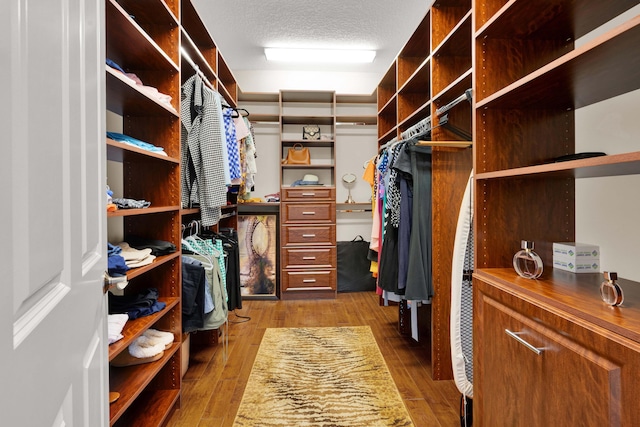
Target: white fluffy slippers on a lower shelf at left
<point>148,347</point>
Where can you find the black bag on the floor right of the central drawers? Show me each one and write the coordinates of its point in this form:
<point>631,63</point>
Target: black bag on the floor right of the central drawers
<point>353,266</point>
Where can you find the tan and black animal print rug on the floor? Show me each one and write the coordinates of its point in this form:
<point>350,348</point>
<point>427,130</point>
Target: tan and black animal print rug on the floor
<point>321,377</point>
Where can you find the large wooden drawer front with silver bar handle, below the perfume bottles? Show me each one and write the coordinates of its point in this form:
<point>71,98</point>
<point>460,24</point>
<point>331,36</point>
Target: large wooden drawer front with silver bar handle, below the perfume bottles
<point>534,355</point>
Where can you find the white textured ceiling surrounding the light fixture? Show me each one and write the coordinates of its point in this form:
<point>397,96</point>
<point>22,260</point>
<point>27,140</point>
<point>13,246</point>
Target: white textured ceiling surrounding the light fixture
<point>243,28</point>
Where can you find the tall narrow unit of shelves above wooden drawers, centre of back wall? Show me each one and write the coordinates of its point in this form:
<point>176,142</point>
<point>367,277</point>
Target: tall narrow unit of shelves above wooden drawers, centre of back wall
<point>308,212</point>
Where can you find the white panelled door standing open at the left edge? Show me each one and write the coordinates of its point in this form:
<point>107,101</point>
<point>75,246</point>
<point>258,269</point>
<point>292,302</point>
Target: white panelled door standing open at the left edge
<point>53,353</point>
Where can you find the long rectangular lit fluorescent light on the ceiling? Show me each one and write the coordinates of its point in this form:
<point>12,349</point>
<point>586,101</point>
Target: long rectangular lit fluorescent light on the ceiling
<point>319,55</point>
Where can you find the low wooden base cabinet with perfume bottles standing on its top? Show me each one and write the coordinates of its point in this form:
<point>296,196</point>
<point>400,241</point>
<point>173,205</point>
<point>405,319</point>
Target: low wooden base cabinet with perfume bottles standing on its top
<point>540,360</point>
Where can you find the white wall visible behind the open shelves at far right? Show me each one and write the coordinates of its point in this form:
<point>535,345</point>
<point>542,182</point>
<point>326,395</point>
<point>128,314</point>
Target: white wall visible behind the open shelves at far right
<point>607,208</point>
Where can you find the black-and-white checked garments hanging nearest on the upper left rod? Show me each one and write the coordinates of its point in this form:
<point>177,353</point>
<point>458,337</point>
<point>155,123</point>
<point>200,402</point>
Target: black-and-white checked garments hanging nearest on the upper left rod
<point>202,160</point>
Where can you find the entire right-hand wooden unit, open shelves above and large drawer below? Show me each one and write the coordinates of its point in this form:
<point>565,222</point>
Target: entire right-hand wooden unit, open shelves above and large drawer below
<point>530,79</point>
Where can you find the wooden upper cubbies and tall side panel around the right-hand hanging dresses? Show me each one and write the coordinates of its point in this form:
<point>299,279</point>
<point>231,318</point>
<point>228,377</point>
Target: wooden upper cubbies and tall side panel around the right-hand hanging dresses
<point>430,75</point>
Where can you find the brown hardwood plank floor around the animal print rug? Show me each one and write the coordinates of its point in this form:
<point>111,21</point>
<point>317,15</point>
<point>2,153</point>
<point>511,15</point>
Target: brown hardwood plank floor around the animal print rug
<point>212,389</point>
